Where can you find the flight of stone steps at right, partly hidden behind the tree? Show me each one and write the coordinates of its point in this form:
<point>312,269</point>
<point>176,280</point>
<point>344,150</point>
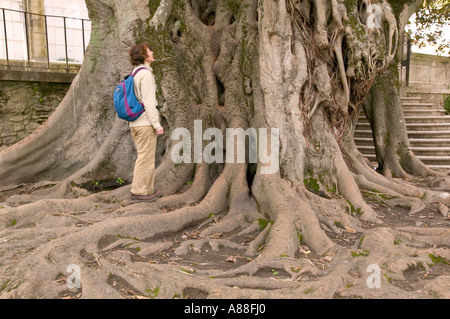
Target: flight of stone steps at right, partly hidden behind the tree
<point>428,131</point>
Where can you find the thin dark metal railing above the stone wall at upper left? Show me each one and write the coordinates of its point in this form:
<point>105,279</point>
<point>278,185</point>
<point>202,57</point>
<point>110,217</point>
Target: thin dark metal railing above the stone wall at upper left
<point>26,17</point>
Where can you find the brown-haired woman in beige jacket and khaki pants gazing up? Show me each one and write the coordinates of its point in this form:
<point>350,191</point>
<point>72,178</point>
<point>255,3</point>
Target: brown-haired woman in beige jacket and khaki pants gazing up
<point>145,129</point>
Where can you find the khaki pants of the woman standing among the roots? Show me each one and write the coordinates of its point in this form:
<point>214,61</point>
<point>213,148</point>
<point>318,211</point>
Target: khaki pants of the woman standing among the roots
<point>144,170</point>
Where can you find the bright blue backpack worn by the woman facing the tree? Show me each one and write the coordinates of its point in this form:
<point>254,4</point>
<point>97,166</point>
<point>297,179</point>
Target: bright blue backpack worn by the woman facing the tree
<point>125,102</point>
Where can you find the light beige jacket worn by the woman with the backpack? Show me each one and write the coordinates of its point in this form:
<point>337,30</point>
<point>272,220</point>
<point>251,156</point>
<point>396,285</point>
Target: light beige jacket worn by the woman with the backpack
<point>145,91</point>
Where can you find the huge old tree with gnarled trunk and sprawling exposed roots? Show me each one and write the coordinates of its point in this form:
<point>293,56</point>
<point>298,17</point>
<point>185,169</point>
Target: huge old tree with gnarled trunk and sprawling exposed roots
<point>301,68</point>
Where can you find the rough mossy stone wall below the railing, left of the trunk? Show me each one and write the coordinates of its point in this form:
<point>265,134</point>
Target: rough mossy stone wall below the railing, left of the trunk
<point>24,106</point>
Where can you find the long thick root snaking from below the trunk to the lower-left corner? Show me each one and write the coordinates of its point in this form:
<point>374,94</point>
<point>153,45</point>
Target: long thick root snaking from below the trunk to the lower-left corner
<point>51,254</point>
